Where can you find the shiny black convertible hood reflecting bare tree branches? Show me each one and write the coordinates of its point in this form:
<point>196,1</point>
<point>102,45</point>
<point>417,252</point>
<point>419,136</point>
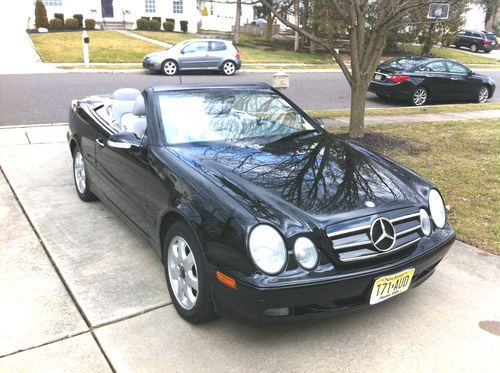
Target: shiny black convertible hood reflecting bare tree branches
<point>314,177</point>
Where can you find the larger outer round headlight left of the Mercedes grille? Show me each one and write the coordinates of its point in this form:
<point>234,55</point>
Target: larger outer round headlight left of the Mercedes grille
<point>267,249</point>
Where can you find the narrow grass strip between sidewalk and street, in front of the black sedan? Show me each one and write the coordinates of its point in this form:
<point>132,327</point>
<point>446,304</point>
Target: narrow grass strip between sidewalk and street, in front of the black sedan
<point>450,108</point>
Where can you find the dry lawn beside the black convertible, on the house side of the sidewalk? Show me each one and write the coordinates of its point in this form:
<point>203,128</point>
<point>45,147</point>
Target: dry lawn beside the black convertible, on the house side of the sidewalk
<point>462,159</point>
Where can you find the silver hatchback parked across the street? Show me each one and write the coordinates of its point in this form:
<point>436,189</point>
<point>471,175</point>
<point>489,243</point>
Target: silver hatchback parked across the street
<point>195,54</point>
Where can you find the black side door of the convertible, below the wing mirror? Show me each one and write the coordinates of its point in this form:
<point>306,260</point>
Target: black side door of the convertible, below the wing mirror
<point>122,174</point>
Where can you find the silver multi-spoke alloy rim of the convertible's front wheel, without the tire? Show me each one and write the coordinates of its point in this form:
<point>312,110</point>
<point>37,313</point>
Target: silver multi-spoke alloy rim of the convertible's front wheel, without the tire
<point>182,272</point>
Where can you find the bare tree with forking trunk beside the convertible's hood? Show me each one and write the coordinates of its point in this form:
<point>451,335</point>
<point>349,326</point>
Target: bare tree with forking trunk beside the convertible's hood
<point>368,23</point>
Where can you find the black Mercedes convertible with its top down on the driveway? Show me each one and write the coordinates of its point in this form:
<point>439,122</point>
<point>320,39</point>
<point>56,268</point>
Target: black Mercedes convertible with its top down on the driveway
<point>256,211</point>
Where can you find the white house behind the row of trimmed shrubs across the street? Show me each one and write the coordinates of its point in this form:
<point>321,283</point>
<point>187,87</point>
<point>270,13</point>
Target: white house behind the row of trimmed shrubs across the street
<point>219,16</point>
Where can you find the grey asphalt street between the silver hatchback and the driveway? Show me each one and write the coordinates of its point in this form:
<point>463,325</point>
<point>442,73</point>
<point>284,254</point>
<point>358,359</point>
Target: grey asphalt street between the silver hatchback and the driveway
<point>45,98</point>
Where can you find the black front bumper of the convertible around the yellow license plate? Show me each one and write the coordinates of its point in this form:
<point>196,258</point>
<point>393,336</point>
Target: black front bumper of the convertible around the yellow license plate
<point>336,292</point>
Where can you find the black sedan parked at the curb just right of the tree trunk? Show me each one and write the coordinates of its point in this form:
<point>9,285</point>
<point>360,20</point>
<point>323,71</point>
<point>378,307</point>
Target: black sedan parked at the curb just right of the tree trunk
<point>419,80</point>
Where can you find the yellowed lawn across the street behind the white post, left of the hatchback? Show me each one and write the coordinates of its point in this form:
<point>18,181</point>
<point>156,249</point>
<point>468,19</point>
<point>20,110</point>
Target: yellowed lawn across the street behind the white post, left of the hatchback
<point>105,46</point>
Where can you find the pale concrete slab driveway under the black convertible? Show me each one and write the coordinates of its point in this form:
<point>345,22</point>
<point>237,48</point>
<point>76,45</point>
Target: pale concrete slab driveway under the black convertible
<point>80,292</point>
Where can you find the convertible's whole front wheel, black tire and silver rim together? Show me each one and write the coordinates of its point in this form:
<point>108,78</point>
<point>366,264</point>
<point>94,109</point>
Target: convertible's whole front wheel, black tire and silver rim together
<point>186,274</point>
